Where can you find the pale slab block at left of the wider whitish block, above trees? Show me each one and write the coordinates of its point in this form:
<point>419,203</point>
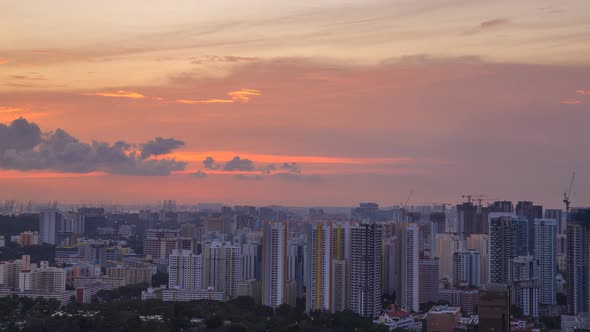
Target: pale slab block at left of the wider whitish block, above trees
<point>185,270</point>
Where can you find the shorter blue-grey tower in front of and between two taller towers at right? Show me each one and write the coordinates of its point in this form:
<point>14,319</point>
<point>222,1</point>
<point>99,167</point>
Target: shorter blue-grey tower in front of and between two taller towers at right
<point>524,276</point>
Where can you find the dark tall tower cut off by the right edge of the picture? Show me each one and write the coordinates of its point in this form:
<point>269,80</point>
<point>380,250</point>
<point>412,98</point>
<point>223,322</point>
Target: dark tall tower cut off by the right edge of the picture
<point>578,261</point>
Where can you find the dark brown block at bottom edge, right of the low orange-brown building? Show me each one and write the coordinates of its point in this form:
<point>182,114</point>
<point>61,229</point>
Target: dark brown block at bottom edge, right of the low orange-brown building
<point>494,308</point>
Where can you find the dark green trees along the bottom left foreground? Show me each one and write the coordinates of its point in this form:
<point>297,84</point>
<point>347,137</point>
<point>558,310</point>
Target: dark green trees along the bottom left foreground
<point>122,311</point>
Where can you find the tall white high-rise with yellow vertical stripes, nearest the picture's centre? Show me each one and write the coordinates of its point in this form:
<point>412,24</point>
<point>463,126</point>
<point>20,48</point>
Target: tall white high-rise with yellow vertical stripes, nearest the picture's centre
<point>319,266</point>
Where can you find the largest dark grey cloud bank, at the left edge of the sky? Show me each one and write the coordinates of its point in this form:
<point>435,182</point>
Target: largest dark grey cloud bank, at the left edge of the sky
<point>23,147</point>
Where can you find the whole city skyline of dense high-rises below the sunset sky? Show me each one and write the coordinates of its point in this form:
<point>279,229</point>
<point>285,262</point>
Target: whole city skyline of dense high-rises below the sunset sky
<point>468,267</point>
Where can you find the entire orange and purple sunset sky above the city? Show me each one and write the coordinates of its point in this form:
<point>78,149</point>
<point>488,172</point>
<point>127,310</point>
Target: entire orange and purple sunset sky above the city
<point>294,102</point>
